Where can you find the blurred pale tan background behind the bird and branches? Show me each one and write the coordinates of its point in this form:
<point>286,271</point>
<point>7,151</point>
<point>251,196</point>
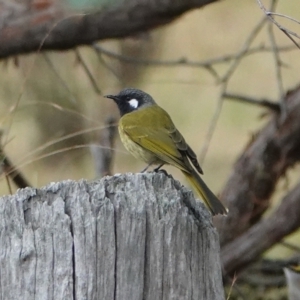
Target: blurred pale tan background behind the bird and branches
<point>51,114</point>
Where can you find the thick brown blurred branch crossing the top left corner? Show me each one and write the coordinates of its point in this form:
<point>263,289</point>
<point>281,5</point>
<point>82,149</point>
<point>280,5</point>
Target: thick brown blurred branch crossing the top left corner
<point>27,30</point>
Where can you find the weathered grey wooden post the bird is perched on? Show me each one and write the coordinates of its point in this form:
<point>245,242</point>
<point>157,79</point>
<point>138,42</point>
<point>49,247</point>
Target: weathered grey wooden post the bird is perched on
<point>140,236</point>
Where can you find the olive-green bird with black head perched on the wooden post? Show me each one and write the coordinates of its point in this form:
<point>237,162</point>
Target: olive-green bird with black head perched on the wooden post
<point>149,134</point>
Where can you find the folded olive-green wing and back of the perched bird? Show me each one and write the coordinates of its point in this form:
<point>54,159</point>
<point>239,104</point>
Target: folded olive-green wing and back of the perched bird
<point>159,136</point>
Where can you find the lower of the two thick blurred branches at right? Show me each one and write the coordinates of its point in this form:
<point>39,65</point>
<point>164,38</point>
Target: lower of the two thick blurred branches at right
<point>263,235</point>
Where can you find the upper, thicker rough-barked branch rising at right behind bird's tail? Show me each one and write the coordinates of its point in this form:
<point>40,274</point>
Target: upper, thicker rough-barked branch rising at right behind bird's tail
<point>248,192</point>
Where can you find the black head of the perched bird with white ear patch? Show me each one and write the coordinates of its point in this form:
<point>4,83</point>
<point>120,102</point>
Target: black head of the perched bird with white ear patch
<point>129,100</point>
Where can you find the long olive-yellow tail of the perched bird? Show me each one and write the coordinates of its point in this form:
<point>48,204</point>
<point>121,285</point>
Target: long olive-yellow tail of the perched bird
<point>213,203</point>
